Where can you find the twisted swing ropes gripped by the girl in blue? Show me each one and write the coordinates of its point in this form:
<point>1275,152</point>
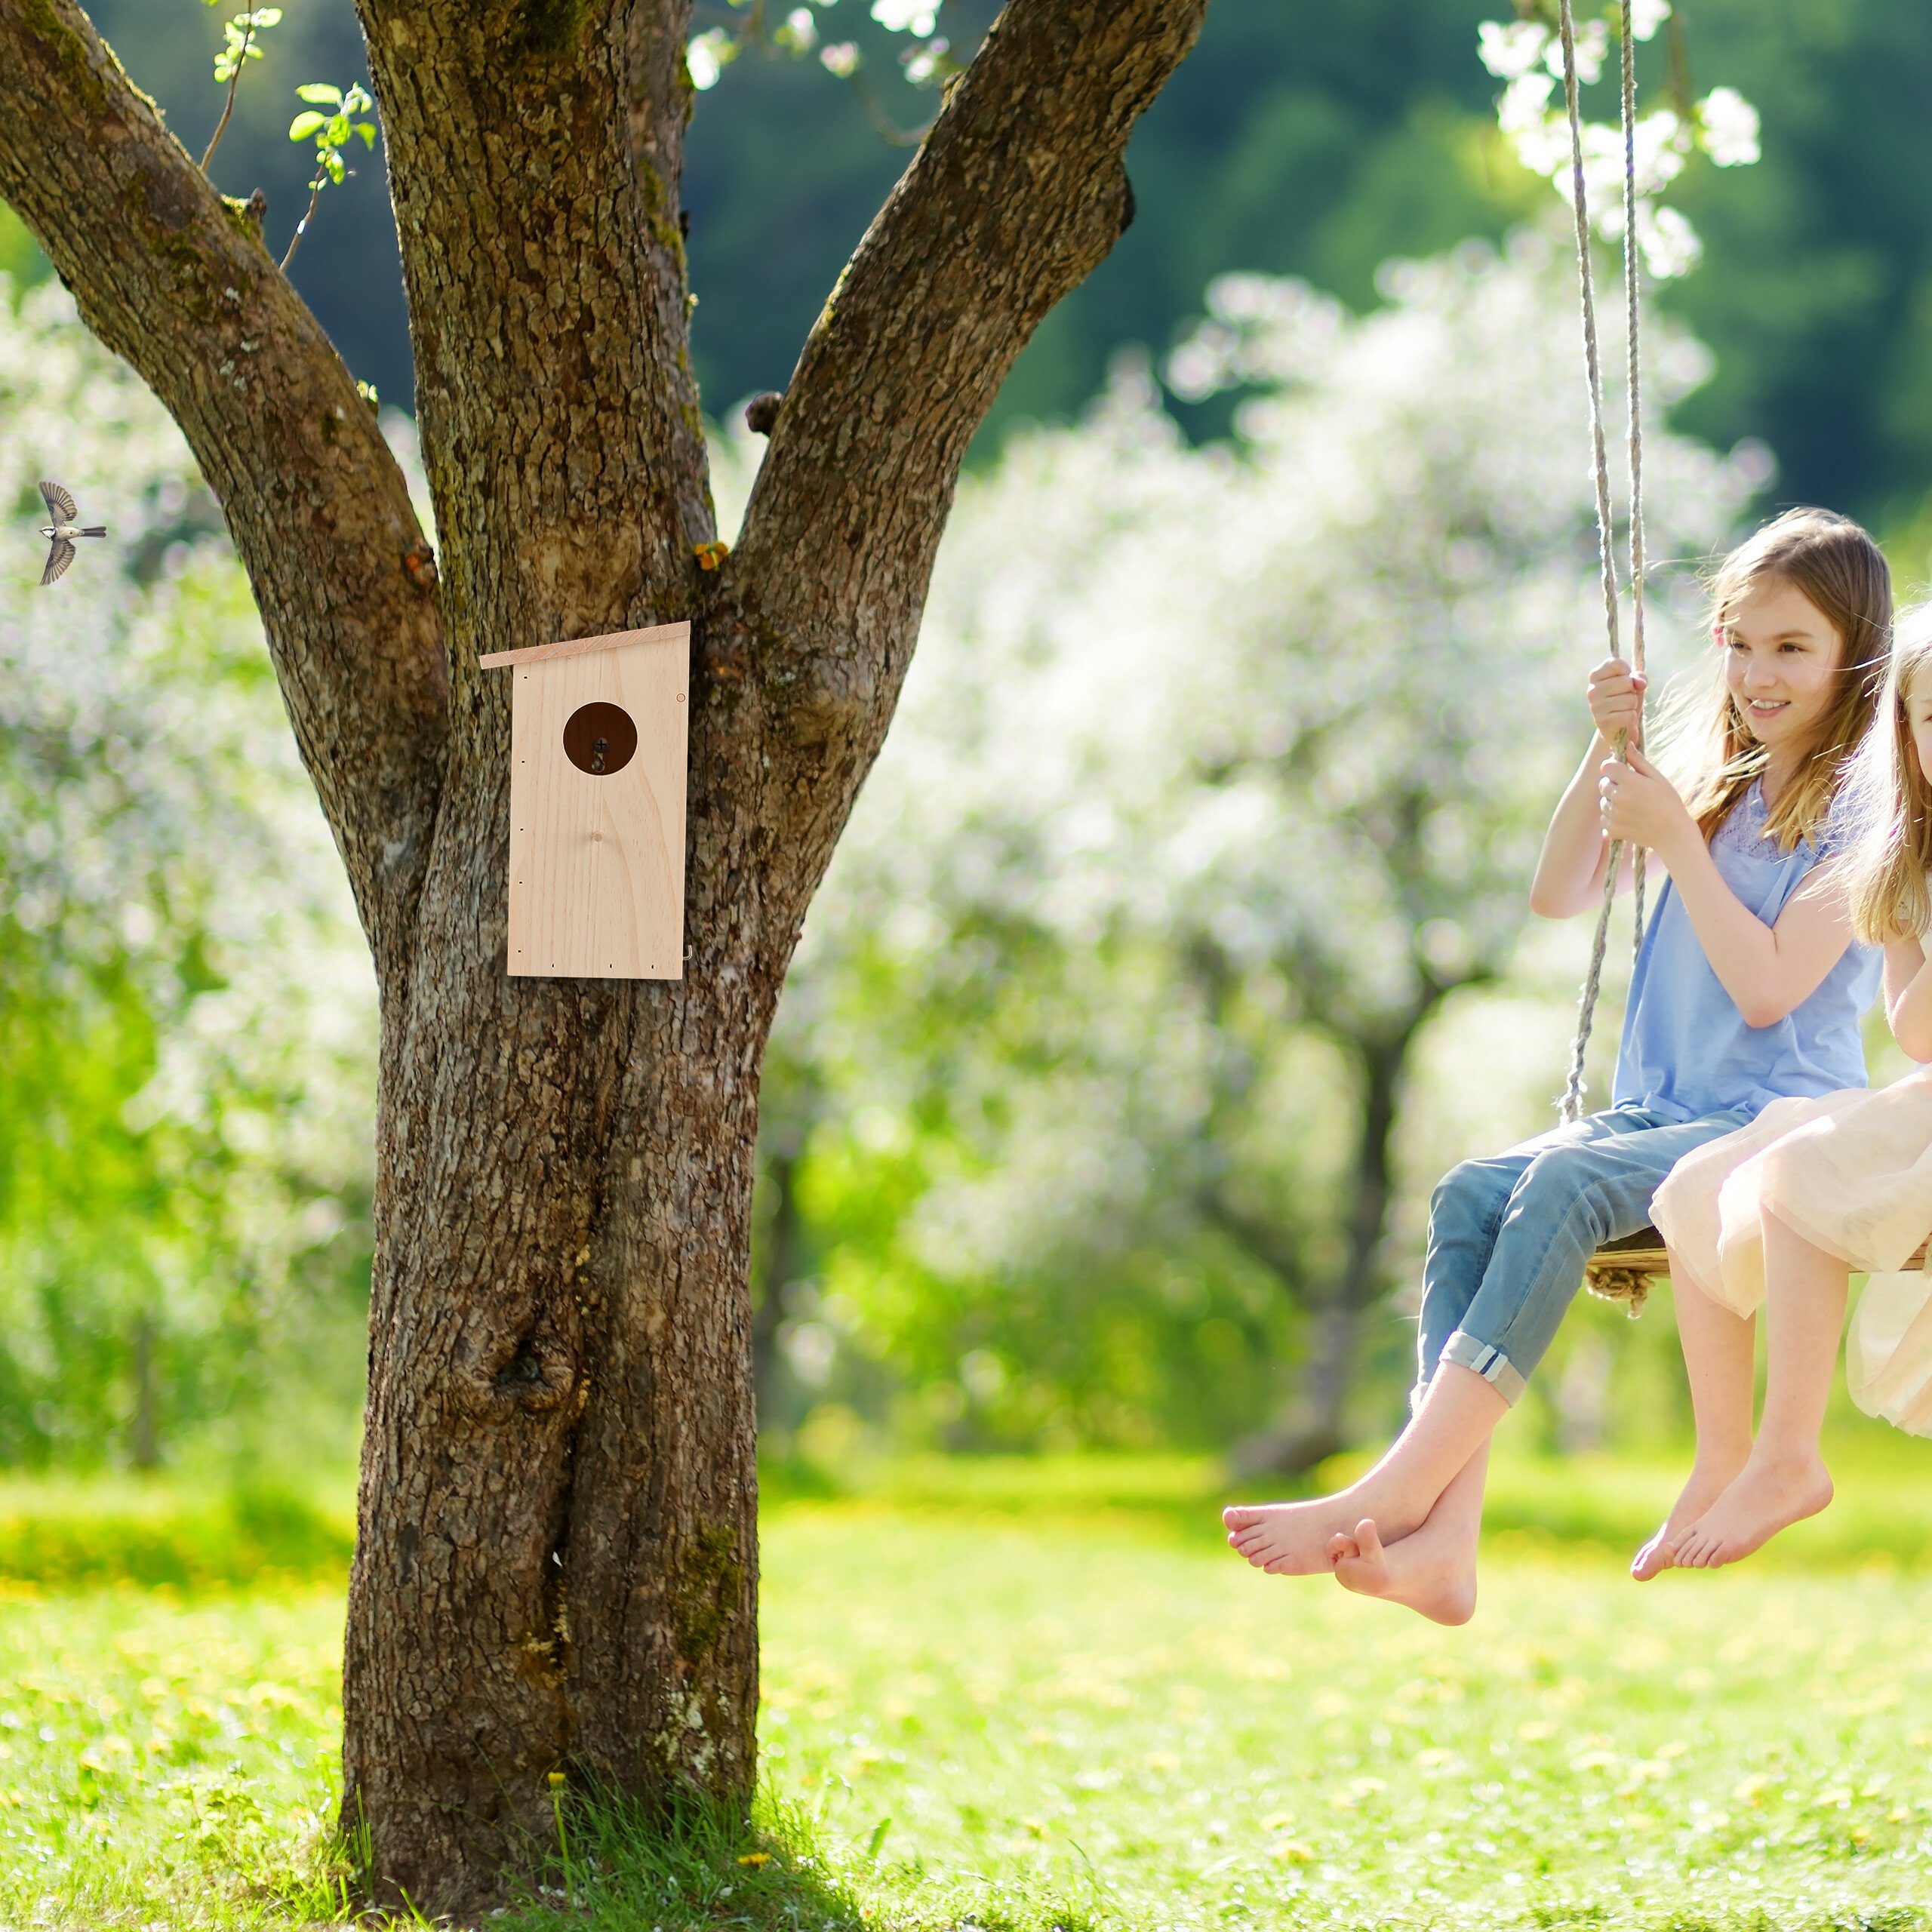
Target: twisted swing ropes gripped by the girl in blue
<point>1599,441</point>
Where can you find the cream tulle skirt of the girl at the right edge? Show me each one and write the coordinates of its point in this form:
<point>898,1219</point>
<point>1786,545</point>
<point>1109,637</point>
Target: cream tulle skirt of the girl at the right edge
<point>1854,1176</point>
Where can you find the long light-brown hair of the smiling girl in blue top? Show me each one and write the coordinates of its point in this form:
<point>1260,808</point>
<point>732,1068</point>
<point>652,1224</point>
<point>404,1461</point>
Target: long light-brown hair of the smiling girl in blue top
<point>1838,569</point>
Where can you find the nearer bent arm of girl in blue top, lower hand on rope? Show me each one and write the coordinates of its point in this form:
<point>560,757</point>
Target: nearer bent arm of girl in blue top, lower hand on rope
<point>1767,969</point>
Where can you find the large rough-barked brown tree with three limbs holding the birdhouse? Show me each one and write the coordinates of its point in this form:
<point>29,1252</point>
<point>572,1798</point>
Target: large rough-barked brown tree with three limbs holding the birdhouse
<point>557,1520</point>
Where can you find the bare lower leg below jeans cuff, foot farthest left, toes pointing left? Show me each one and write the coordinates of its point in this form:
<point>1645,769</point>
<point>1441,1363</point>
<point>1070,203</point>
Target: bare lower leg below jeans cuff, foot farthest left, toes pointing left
<point>1400,1492</point>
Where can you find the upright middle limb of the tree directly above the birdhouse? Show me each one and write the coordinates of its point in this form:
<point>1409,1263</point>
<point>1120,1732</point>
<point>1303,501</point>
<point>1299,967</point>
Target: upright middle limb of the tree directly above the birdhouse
<point>534,156</point>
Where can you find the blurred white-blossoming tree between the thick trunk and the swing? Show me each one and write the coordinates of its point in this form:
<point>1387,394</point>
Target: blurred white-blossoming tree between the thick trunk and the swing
<point>1218,776</point>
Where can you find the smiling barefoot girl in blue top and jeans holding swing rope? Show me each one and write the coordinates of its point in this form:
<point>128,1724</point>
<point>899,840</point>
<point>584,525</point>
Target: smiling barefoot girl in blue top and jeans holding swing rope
<point>1747,988</point>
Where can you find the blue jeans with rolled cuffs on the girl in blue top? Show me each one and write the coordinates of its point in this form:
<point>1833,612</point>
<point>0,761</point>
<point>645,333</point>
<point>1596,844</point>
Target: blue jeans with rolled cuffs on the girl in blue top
<point>1510,1237</point>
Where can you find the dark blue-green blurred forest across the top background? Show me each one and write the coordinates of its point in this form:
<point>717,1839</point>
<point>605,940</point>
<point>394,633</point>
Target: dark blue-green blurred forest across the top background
<point>1377,113</point>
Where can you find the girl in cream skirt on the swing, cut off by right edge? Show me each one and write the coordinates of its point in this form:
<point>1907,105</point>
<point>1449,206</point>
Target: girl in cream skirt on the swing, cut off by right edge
<point>1784,1210</point>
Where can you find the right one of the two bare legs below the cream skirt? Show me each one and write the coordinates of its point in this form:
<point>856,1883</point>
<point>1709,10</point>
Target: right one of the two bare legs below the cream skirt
<point>1786,1479</point>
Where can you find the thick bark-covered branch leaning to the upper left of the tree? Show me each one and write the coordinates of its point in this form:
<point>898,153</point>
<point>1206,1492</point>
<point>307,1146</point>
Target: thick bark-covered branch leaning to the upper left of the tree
<point>177,281</point>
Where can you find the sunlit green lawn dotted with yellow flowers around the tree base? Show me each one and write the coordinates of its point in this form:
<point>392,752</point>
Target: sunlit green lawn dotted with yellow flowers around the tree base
<point>1023,1697</point>
